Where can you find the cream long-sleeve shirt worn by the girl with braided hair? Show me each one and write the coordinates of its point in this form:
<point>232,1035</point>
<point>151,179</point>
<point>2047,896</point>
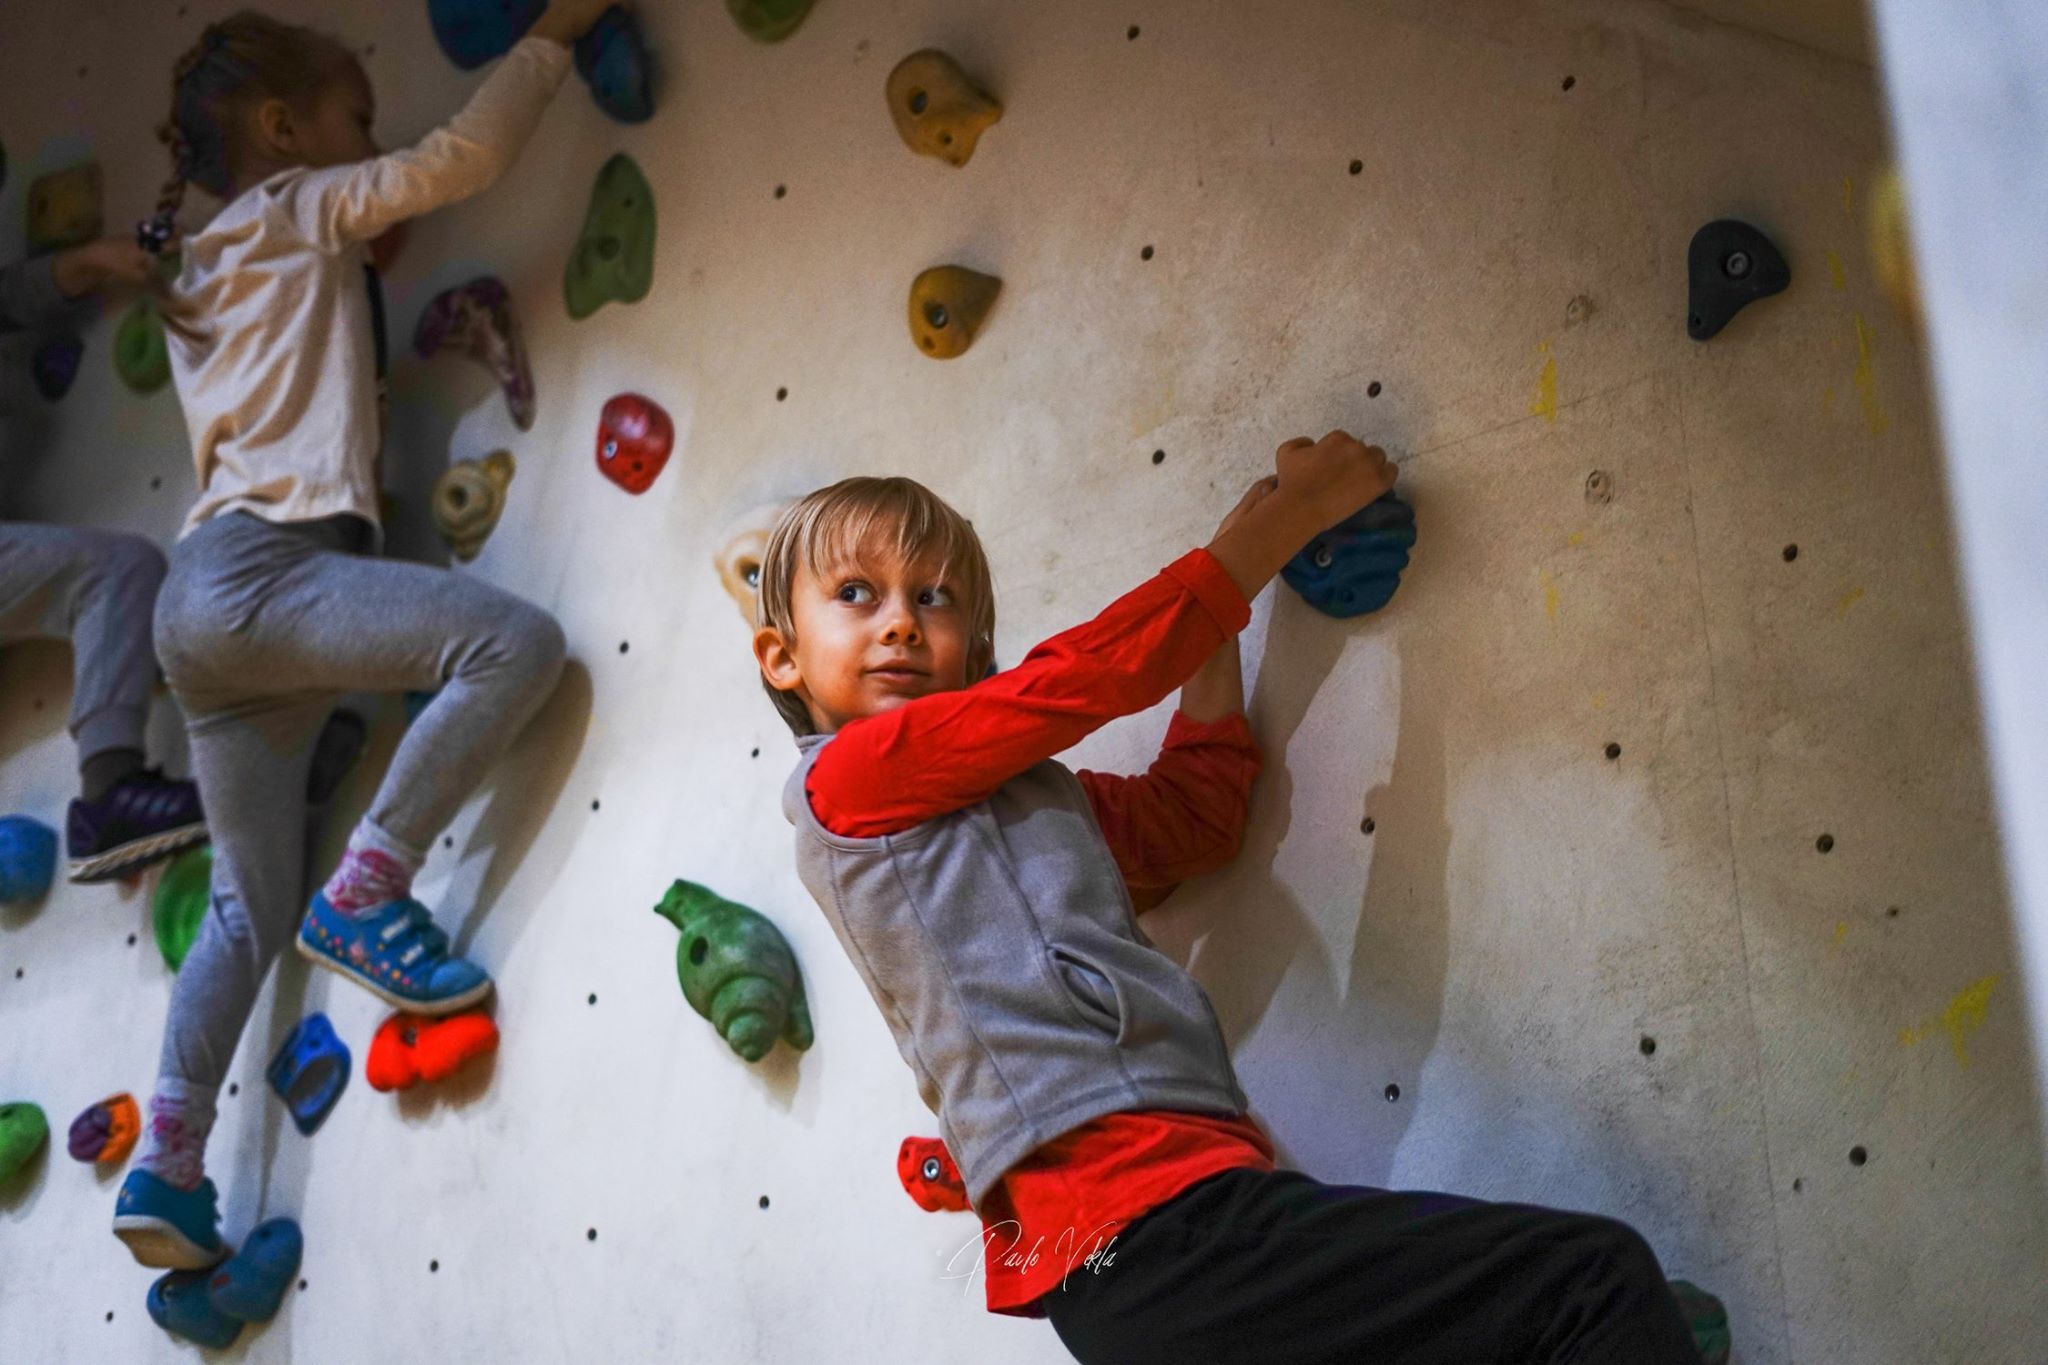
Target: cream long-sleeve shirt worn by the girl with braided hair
<point>269,320</point>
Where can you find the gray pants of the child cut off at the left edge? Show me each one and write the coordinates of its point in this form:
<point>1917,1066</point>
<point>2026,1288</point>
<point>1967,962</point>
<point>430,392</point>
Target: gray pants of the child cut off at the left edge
<point>97,590</point>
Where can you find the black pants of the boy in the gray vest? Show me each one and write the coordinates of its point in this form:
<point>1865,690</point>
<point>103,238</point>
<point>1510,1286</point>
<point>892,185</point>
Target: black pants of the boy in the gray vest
<point>1273,1268</point>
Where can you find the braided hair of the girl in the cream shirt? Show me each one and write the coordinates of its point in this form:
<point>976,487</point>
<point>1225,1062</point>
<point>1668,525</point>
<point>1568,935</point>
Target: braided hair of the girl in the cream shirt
<point>234,62</point>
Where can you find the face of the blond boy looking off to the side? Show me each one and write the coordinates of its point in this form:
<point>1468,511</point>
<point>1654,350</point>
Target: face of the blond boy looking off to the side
<point>869,637</point>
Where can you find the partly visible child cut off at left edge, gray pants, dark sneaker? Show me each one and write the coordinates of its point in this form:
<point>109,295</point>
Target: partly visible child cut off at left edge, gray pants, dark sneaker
<point>97,590</point>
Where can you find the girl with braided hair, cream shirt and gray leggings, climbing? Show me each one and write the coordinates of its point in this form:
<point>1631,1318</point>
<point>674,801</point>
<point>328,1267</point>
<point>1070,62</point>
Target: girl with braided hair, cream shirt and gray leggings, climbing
<point>275,599</point>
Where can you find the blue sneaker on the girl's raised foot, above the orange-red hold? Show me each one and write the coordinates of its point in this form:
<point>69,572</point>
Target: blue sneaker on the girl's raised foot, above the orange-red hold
<point>394,953</point>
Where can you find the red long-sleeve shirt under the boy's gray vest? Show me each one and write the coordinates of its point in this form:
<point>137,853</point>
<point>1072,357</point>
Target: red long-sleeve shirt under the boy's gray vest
<point>1183,818</point>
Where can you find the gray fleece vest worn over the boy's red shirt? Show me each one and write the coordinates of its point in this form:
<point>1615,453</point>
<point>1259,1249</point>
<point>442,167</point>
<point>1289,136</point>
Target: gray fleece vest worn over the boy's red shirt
<point>1002,951</point>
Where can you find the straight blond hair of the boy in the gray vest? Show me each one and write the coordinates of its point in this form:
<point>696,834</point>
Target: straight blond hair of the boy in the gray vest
<point>835,525</point>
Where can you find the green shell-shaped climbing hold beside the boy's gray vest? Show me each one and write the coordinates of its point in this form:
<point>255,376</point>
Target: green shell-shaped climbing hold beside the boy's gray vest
<point>736,969</point>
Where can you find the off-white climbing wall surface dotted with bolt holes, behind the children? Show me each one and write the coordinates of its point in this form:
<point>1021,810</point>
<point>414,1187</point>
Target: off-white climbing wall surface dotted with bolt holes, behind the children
<point>1637,858</point>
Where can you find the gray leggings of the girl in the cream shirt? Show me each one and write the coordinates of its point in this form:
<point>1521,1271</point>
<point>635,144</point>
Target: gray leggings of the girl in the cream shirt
<point>261,629</point>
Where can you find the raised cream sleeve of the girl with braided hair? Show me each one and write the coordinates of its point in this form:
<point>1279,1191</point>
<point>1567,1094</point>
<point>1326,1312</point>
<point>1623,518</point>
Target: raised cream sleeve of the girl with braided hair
<point>339,206</point>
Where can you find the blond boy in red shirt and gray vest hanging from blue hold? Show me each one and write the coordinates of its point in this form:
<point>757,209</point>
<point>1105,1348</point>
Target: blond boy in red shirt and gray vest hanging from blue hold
<point>1080,1077</point>
